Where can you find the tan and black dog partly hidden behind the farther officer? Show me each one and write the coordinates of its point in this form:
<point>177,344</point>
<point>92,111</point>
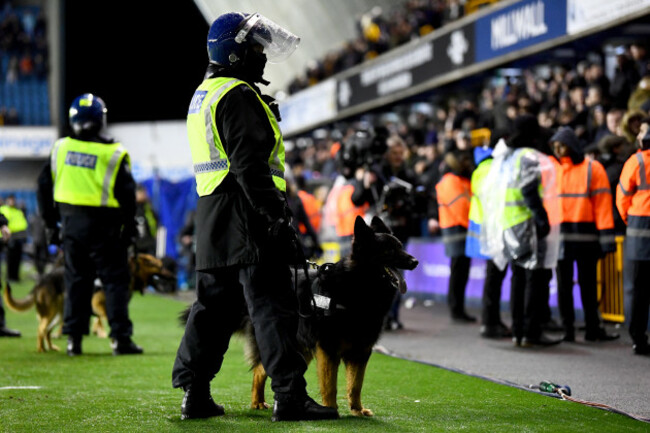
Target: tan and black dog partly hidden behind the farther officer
<point>48,296</point>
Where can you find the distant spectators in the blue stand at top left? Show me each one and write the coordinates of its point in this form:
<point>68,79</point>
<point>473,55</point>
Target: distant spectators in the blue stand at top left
<point>24,50</point>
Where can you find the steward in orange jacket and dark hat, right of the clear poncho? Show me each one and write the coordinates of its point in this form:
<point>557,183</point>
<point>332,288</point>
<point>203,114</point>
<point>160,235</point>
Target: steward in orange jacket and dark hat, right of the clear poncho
<point>586,231</point>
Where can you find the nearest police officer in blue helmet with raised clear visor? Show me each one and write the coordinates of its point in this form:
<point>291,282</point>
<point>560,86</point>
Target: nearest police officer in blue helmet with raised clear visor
<point>244,236</point>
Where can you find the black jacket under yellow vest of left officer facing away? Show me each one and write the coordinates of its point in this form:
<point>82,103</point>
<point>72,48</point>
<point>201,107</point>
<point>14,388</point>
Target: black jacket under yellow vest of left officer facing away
<point>124,194</point>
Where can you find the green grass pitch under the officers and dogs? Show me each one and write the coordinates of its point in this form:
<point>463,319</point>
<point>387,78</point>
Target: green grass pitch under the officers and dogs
<point>98,392</point>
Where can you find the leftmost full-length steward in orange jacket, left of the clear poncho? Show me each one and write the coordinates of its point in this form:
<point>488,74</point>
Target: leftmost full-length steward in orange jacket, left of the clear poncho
<point>453,193</point>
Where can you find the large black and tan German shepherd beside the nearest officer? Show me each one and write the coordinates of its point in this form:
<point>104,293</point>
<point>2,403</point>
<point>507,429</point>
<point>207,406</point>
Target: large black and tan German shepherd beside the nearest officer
<point>351,298</point>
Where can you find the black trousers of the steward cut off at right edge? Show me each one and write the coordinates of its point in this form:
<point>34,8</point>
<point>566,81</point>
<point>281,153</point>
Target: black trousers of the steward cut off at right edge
<point>640,271</point>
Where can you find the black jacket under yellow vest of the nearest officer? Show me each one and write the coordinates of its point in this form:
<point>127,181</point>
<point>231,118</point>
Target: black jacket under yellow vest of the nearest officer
<point>232,223</point>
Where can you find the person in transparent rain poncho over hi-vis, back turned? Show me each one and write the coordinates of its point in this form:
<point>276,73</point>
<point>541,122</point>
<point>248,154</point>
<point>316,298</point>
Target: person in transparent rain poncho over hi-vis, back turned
<point>521,226</point>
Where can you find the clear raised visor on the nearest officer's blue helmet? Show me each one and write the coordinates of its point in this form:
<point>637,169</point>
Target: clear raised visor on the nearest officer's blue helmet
<point>277,41</point>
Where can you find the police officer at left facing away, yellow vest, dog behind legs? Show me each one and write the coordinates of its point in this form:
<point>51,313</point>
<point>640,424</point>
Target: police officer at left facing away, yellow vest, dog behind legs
<point>88,183</point>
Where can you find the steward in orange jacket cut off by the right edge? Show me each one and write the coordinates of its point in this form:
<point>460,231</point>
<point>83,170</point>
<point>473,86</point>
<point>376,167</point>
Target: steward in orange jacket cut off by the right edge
<point>633,203</point>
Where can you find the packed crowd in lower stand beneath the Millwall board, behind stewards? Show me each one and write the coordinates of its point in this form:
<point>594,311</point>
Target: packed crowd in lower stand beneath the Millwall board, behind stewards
<point>603,113</point>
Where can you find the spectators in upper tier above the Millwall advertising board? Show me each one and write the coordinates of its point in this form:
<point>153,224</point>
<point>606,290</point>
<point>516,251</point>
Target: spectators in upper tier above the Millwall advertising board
<point>379,31</point>
